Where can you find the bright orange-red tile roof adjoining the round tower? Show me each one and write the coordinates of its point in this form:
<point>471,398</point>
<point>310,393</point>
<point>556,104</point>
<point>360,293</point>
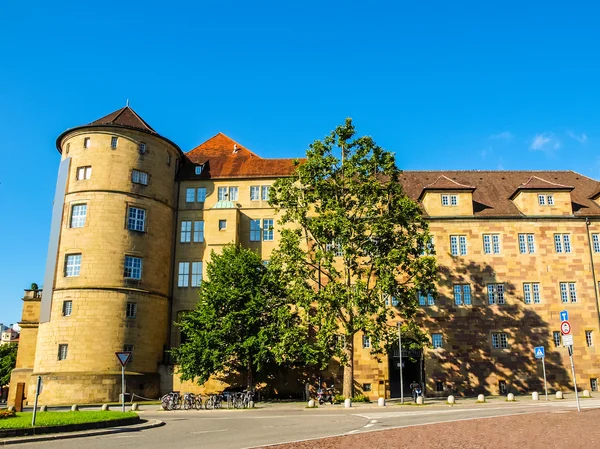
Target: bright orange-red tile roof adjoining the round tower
<point>223,157</point>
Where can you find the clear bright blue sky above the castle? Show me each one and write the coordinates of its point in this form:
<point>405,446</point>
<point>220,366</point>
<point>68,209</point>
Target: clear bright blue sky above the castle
<point>445,85</point>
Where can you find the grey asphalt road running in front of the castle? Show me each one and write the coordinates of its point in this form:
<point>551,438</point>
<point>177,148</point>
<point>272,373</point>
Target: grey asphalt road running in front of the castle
<point>239,429</point>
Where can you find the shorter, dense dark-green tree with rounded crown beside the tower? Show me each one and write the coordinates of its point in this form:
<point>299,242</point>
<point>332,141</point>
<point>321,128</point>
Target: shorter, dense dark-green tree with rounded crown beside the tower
<point>241,323</point>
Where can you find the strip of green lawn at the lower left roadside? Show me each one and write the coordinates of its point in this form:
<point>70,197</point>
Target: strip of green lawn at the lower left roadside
<point>23,420</point>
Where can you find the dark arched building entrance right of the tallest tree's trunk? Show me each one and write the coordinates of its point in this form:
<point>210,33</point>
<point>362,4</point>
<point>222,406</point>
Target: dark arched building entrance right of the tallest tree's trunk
<point>412,370</point>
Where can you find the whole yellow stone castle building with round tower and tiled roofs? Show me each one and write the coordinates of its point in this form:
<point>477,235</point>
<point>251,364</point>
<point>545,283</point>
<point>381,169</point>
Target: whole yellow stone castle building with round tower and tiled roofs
<point>135,220</point>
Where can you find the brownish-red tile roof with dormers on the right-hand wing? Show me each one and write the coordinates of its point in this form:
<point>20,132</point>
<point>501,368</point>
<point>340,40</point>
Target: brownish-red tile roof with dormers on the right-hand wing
<point>493,189</point>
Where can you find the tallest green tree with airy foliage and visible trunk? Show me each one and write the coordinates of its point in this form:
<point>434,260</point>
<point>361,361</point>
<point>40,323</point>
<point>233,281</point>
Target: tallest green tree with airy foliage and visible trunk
<point>351,242</point>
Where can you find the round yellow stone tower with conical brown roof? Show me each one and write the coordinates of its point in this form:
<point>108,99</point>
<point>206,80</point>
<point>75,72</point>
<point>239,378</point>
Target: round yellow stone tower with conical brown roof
<point>108,274</point>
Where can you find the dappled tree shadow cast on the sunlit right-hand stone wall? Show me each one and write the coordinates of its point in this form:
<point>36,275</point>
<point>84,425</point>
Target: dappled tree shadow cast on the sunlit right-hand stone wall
<point>467,363</point>
